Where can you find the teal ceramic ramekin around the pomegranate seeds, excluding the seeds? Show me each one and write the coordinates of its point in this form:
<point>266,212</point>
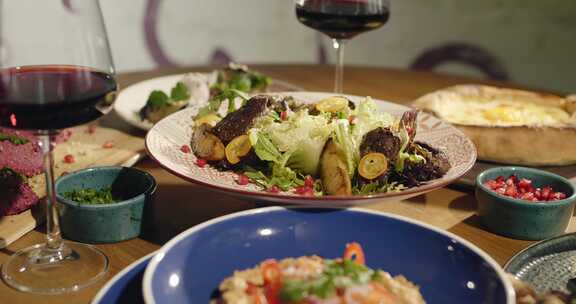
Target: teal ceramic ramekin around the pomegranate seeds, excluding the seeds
<point>521,219</point>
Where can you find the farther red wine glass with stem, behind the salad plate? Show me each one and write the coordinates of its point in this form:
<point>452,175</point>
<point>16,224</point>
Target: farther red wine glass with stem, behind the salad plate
<point>342,20</point>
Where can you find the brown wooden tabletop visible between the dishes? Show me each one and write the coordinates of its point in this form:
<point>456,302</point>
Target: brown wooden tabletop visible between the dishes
<point>181,205</point>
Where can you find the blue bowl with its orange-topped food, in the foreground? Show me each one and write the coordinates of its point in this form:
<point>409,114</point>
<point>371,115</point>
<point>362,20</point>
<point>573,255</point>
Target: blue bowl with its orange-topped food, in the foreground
<point>321,255</point>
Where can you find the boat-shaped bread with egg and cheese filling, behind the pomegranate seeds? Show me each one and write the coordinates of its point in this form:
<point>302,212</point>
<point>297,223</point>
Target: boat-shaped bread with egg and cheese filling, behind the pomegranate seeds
<point>507,125</point>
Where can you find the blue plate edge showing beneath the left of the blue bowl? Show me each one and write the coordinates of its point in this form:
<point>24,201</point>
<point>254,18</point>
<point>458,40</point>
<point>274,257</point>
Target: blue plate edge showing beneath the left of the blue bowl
<point>125,286</point>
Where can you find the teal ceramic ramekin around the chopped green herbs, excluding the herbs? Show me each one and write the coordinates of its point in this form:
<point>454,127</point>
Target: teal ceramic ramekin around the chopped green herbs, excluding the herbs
<point>107,223</point>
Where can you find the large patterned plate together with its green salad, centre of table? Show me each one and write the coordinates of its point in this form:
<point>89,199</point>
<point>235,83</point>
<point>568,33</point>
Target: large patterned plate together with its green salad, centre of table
<point>311,148</point>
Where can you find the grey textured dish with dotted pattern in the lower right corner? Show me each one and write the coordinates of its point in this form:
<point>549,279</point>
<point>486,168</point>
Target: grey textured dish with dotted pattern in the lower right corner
<point>547,265</point>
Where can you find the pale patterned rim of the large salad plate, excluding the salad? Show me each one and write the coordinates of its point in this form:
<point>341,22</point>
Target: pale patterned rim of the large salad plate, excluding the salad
<point>165,140</point>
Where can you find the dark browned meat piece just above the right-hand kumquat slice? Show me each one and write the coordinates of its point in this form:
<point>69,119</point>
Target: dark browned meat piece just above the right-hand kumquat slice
<point>381,140</point>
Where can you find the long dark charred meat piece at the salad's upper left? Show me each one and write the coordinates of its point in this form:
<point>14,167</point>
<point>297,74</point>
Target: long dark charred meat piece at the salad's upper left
<point>240,121</point>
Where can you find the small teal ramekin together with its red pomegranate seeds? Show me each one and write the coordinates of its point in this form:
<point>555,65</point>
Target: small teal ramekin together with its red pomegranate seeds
<point>524,203</point>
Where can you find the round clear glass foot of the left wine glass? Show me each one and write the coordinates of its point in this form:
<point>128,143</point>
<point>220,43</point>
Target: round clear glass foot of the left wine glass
<point>37,269</point>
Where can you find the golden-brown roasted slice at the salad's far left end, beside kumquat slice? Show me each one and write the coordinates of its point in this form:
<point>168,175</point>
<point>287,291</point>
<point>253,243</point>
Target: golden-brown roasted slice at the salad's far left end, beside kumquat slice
<point>206,145</point>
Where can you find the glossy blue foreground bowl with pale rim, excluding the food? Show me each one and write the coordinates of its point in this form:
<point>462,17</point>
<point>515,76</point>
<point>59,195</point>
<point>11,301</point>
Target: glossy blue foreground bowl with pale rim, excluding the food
<point>190,267</point>
